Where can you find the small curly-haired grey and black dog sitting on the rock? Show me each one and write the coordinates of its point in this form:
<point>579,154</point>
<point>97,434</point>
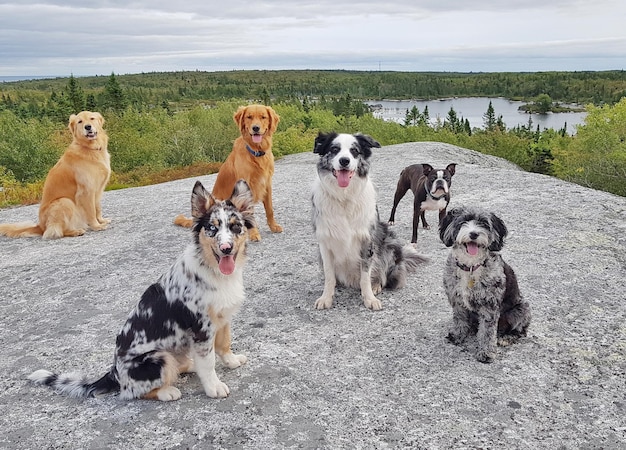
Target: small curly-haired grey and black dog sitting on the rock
<point>482,289</point>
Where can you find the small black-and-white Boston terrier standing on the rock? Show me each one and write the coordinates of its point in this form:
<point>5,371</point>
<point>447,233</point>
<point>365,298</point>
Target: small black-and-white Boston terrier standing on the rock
<point>431,191</point>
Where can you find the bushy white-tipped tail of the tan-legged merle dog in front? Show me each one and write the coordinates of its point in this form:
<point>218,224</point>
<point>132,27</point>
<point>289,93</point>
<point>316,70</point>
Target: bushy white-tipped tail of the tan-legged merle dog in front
<point>76,385</point>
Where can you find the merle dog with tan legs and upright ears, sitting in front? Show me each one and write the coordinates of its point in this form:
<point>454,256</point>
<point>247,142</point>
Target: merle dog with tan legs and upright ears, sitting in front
<point>184,318</point>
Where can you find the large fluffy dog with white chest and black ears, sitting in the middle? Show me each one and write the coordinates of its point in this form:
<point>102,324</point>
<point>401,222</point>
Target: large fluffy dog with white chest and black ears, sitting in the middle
<point>356,248</point>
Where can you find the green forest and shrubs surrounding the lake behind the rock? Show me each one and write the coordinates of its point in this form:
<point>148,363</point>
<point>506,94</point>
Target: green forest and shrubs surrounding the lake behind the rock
<point>171,125</point>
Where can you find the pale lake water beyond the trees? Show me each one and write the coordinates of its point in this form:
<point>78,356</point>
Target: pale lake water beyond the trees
<point>473,109</point>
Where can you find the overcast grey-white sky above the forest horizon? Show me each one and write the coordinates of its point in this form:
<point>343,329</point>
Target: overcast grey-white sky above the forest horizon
<point>132,36</point>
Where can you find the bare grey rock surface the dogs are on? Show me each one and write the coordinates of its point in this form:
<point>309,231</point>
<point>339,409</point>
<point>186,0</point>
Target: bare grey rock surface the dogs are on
<point>345,377</point>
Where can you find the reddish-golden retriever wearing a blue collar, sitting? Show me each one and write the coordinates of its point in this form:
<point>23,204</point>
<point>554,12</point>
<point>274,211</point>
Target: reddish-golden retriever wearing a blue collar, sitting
<point>242,164</point>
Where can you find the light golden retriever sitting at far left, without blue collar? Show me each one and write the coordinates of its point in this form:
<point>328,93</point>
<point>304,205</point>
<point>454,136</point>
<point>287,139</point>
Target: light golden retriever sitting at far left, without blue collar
<point>73,188</point>
